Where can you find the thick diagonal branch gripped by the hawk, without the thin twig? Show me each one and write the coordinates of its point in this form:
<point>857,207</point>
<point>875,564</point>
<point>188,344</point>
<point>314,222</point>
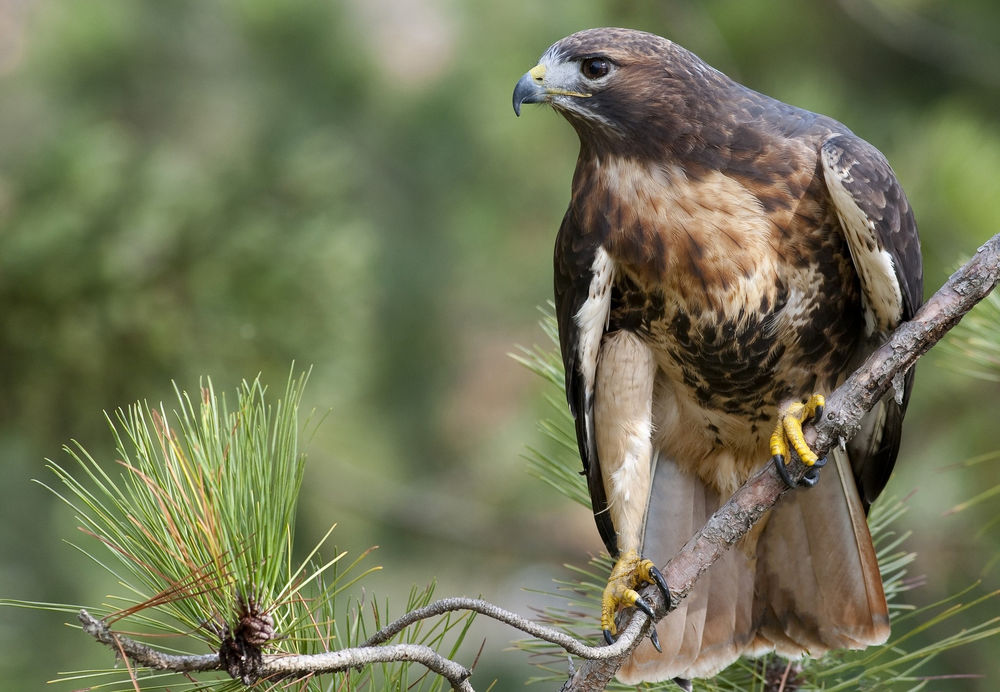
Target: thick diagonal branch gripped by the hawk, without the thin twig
<point>845,408</point>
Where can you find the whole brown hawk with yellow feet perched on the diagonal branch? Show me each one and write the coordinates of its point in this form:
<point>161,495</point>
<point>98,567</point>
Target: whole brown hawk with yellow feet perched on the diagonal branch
<point>724,260</point>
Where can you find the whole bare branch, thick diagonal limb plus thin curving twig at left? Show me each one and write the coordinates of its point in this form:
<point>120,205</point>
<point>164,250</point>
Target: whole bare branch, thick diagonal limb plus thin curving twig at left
<point>845,408</point>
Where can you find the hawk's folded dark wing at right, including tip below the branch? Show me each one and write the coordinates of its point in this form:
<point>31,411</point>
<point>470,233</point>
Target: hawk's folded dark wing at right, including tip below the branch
<point>882,235</point>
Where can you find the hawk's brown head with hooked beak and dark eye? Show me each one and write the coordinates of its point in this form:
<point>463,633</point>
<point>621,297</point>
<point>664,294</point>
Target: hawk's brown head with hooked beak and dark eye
<point>624,87</point>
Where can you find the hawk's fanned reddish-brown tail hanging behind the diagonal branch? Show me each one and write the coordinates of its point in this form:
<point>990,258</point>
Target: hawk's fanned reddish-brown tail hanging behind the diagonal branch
<point>808,584</point>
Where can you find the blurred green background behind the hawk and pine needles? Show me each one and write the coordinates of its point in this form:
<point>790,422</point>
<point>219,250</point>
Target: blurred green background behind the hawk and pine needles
<point>218,188</point>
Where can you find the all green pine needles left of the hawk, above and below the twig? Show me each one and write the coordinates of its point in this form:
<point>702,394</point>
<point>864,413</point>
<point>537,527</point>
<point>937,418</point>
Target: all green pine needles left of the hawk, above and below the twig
<point>195,522</point>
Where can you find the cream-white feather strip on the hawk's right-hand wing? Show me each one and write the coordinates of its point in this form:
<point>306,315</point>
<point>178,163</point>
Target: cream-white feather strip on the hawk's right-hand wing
<point>883,298</point>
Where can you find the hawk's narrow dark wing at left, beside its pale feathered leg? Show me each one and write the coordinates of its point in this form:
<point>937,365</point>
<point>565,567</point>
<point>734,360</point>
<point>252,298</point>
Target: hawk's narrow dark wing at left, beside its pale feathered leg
<point>576,255</point>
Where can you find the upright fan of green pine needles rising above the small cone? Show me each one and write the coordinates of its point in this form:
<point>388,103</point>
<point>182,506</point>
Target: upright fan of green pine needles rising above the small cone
<point>201,510</point>
